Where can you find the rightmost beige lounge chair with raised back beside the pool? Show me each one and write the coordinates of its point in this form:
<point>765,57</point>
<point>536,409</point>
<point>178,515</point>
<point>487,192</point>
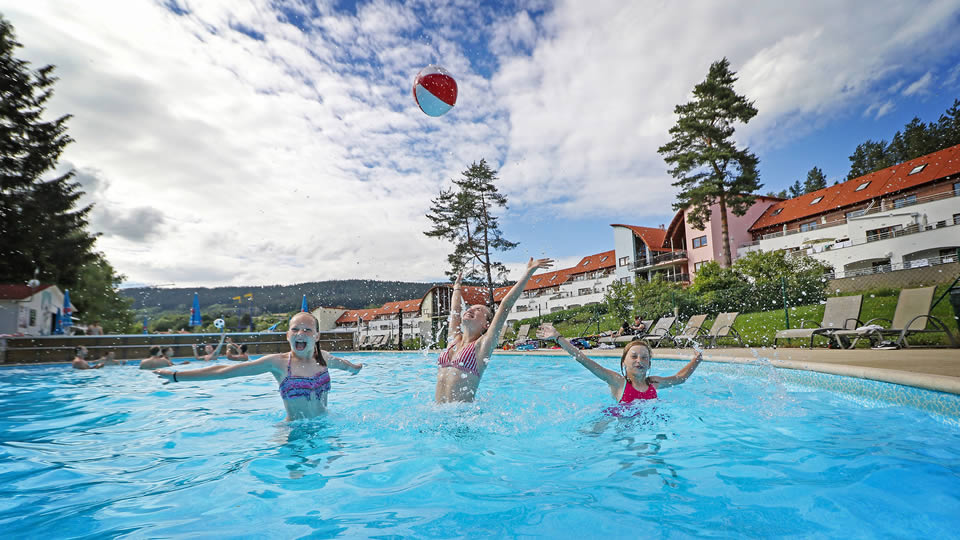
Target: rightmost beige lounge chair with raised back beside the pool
<point>911,317</point>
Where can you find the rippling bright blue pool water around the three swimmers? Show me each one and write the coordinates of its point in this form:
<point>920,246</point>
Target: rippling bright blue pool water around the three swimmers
<point>735,452</point>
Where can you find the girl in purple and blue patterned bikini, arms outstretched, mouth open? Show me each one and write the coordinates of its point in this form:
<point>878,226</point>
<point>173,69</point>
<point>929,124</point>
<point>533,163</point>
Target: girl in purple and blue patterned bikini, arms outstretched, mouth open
<point>303,373</point>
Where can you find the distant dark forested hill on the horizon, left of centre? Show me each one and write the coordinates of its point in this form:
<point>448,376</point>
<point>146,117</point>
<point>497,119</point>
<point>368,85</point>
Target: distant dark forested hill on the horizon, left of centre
<point>350,293</point>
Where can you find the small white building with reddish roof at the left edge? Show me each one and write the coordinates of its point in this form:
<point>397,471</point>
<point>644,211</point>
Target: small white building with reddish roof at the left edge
<point>30,311</point>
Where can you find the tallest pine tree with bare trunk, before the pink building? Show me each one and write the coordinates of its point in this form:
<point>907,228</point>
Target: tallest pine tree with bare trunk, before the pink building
<point>707,164</point>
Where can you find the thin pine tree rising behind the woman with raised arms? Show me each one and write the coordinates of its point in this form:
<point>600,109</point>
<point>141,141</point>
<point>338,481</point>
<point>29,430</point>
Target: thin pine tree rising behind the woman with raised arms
<point>463,215</point>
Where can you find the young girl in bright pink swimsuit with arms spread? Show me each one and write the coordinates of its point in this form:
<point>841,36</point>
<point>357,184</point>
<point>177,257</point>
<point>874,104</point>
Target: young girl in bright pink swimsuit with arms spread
<point>633,382</point>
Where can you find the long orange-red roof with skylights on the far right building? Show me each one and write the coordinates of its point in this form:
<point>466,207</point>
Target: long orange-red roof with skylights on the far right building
<point>887,181</point>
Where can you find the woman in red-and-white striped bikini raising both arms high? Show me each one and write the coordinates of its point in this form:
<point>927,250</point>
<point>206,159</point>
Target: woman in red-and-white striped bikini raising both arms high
<point>472,336</point>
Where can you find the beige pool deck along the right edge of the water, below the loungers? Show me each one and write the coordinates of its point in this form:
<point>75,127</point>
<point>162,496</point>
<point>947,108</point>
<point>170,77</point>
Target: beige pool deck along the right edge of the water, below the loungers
<point>933,369</point>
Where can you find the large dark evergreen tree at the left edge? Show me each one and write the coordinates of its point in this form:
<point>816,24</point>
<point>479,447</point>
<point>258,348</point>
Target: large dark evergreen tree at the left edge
<point>42,227</point>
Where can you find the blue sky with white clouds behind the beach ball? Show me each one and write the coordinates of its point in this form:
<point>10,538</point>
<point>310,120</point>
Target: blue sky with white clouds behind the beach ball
<point>257,142</point>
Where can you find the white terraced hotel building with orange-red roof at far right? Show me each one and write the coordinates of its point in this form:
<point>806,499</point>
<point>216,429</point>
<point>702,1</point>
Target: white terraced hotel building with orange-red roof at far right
<point>895,218</point>
